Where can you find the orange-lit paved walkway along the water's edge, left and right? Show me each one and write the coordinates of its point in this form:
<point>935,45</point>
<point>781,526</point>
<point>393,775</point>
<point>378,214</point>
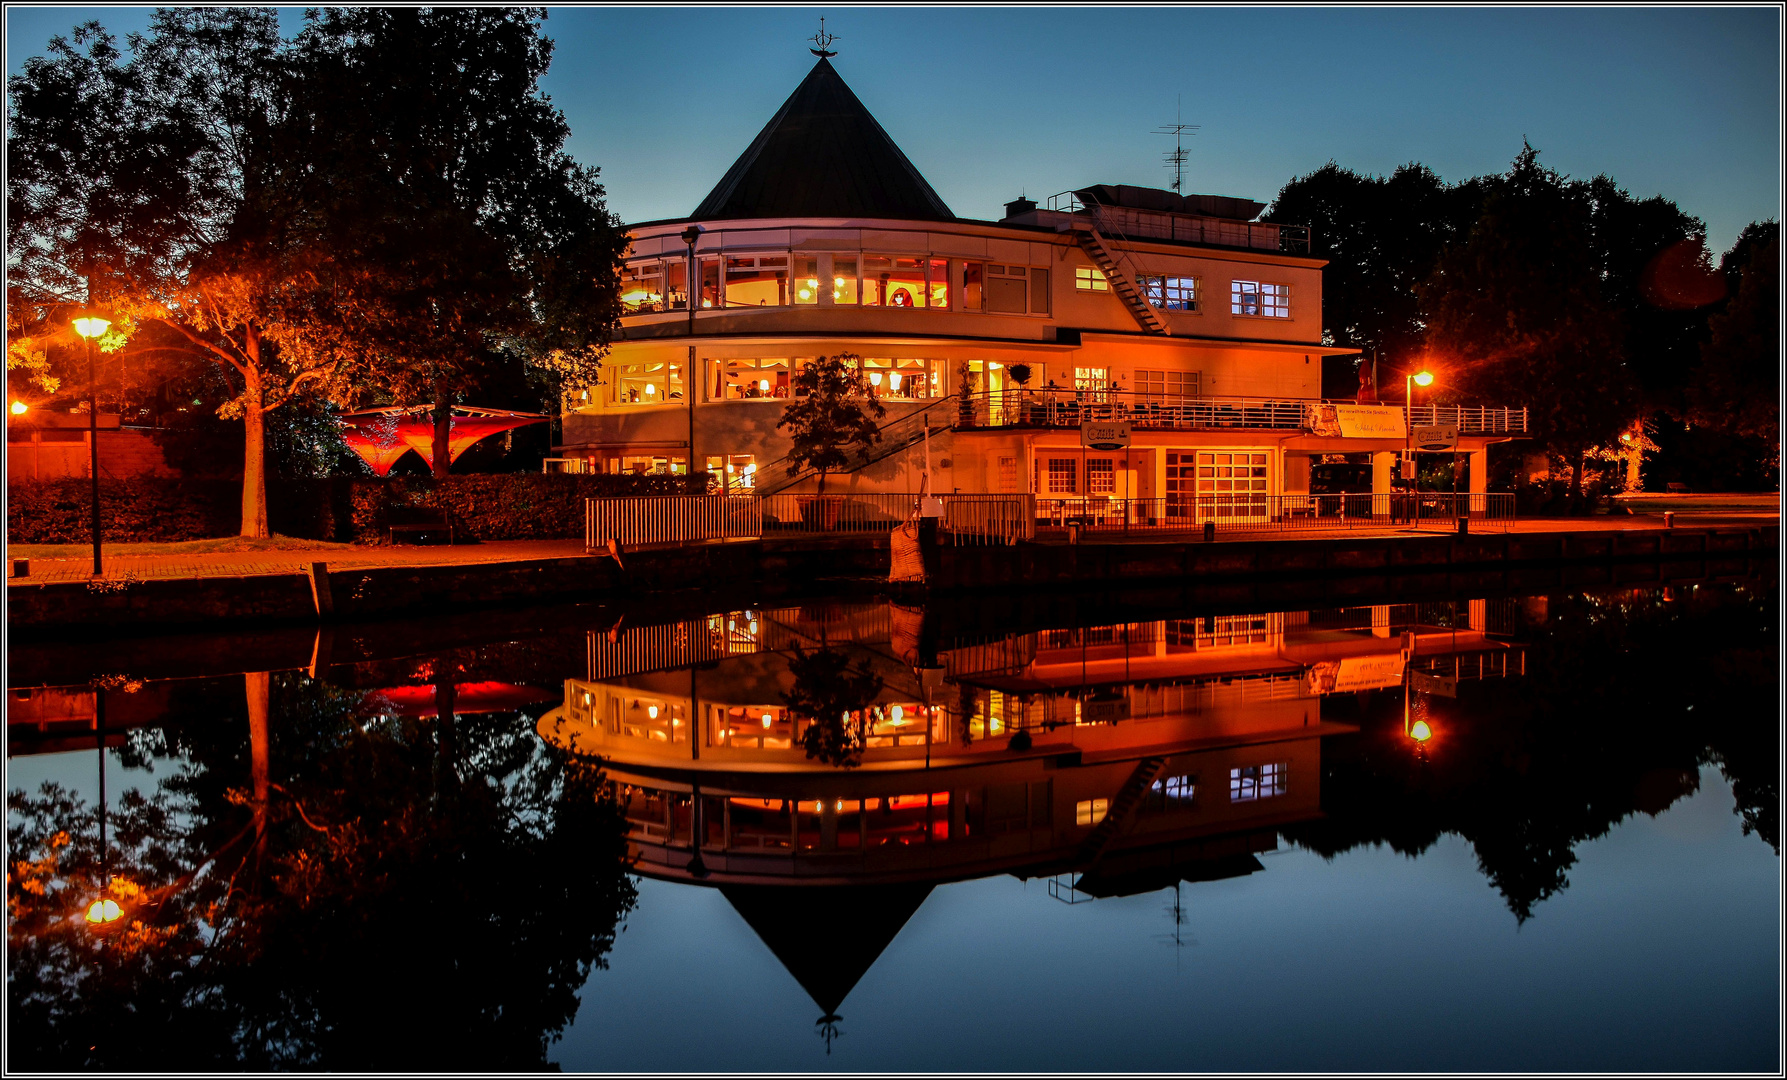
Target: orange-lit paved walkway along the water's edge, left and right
<point>124,566</point>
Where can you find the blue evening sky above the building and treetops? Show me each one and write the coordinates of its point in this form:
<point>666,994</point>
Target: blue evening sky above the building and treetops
<point>996,103</point>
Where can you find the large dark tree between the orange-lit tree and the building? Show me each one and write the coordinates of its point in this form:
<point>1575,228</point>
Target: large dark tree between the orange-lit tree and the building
<point>474,235</point>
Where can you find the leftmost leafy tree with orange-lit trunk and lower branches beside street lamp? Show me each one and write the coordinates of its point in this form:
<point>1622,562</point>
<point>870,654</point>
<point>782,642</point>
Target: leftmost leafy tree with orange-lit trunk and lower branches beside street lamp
<point>131,185</point>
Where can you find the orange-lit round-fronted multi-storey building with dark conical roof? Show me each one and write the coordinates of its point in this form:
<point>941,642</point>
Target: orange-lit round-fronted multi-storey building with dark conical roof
<point>991,346</point>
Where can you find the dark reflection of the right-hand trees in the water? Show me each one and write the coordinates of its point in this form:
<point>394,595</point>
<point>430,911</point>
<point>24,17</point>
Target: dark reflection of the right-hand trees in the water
<point>1625,698</point>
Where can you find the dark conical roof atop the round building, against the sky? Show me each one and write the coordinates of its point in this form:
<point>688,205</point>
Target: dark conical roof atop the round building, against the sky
<point>823,156</point>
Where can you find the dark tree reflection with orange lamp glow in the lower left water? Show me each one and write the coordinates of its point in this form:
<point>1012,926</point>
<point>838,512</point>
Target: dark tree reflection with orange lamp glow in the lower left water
<point>382,920</point>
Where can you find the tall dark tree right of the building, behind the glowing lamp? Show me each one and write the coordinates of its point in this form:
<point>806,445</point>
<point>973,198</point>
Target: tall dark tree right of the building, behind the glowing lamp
<point>1516,314</point>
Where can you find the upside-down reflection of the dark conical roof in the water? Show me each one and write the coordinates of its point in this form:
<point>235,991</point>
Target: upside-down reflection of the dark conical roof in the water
<point>828,938</point>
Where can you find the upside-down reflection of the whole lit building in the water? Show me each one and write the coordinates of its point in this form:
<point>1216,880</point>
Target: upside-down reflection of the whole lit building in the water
<point>1109,761</point>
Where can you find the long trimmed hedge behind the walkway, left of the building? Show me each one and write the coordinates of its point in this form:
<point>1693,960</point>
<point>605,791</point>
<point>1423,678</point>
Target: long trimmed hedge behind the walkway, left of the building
<point>485,507</point>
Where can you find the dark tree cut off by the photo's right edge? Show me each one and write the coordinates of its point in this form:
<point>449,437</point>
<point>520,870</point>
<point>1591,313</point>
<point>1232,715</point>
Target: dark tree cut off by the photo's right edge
<point>1736,385</point>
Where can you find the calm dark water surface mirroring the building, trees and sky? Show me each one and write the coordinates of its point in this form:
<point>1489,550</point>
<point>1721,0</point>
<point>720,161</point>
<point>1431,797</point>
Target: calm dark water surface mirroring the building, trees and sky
<point>1534,832</point>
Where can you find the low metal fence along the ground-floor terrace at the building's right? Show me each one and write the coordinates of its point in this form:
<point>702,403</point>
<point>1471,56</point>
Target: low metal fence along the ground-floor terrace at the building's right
<point>1268,514</point>
